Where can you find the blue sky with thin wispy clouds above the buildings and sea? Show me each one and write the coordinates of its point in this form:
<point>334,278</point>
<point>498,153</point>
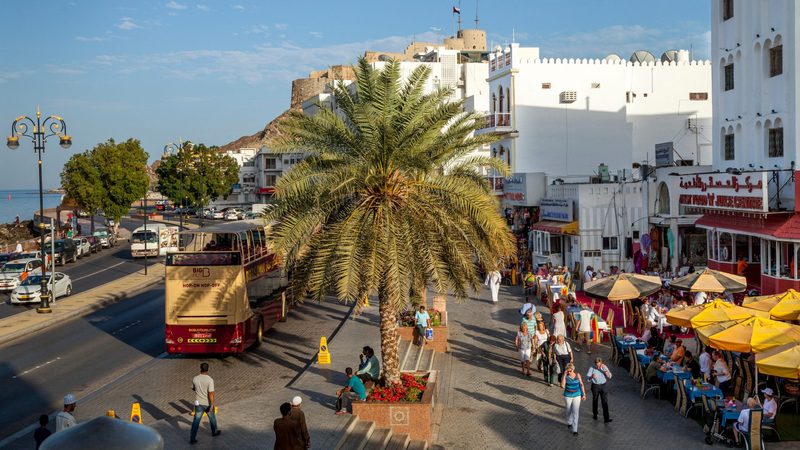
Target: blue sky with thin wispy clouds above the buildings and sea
<point>212,71</point>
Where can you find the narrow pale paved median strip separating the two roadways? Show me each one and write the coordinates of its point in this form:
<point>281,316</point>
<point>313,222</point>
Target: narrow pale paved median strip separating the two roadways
<point>28,322</point>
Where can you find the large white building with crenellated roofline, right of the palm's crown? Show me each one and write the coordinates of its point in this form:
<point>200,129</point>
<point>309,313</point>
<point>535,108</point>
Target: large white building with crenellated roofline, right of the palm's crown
<point>566,116</point>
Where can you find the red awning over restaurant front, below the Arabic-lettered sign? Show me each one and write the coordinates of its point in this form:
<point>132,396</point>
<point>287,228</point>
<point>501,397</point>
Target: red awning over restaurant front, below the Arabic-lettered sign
<point>780,225</point>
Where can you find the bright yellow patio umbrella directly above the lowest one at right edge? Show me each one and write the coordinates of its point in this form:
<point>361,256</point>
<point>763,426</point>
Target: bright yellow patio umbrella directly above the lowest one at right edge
<point>755,334</point>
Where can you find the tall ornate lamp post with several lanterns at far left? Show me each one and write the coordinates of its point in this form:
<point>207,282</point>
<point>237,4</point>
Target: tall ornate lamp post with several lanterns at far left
<point>55,126</point>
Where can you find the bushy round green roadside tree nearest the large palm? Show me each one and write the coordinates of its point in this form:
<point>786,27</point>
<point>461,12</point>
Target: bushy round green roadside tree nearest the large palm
<point>201,173</point>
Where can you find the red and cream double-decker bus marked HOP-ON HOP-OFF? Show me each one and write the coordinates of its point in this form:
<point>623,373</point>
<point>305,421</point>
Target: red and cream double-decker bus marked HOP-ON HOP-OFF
<point>224,288</point>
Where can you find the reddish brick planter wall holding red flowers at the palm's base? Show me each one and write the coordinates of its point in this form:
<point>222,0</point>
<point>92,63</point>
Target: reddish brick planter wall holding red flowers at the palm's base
<point>414,419</point>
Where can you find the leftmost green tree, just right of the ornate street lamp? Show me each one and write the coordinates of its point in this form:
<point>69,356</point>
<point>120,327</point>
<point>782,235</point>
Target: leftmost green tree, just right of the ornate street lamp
<point>80,179</point>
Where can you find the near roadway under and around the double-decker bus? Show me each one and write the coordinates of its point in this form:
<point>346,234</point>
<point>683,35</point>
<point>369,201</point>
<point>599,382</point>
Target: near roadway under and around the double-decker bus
<point>114,357</point>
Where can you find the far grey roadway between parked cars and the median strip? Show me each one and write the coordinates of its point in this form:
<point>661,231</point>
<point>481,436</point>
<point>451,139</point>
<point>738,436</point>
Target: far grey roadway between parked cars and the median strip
<point>90,271</point>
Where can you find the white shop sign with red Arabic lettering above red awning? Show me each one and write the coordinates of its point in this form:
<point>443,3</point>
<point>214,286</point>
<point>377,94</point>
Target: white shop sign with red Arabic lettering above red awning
<point>725,192</point>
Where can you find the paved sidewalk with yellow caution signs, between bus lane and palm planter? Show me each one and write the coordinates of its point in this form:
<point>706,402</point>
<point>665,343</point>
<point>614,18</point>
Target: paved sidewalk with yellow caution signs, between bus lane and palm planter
<point>248,423</point>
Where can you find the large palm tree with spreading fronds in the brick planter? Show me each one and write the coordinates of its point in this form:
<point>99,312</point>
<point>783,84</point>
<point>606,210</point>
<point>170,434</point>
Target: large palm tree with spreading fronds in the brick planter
<point>388,198</point>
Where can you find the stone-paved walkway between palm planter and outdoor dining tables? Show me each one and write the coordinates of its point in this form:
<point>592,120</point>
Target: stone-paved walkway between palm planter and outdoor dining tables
<point>489,404</point>
